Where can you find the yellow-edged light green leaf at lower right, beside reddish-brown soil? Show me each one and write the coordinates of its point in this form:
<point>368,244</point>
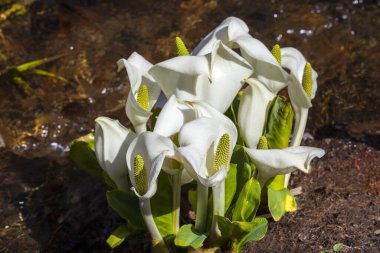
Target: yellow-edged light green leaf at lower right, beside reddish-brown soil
<point>280,202</point>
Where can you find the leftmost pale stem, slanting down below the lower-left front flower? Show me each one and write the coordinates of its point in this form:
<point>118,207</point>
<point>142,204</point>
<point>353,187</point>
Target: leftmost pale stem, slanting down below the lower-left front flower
<point>158,243</point>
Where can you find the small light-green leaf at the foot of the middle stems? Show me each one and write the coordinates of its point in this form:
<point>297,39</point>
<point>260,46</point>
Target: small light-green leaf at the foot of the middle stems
<point>188,237</point>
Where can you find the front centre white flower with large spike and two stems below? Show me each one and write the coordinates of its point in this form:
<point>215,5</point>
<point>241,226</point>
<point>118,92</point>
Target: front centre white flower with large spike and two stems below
<point>206,145</point>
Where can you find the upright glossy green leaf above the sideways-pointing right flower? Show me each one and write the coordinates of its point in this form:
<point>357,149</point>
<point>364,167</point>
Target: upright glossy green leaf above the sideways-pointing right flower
<point>279,122</point>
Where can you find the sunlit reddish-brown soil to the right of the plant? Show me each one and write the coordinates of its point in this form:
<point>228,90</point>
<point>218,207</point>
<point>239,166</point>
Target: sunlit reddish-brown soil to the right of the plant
<point>339,203</point>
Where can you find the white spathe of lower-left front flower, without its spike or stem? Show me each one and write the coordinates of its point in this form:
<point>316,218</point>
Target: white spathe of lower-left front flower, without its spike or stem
<point>154,149</point>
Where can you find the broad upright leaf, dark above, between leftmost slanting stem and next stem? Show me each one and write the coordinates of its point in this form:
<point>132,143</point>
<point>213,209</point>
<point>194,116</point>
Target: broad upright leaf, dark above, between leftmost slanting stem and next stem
<point>161,205</point>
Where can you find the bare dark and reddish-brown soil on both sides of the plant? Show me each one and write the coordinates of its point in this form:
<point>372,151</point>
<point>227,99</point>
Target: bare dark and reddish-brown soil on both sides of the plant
<point>50,206</point>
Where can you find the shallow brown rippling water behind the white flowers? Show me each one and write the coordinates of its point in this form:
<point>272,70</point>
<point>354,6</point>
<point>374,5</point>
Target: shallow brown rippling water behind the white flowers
<point>340,39</point>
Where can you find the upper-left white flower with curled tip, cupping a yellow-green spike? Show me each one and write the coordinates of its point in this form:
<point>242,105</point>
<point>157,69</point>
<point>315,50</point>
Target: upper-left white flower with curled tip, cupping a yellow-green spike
<point>144,90</point>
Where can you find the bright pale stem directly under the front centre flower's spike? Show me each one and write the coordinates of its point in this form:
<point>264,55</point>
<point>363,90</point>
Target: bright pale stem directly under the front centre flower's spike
<point>218,192</point>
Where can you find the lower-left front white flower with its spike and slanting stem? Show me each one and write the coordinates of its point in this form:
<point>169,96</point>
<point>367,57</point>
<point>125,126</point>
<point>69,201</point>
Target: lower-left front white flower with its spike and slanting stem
<point>146,157</point>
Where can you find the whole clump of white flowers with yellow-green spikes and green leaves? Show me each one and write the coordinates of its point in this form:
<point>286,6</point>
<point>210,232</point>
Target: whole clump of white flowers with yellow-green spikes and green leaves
<point>211,122</point>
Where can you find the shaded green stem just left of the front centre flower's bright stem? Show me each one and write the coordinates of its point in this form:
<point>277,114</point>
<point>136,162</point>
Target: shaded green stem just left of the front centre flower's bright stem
<point>202,200</point>
